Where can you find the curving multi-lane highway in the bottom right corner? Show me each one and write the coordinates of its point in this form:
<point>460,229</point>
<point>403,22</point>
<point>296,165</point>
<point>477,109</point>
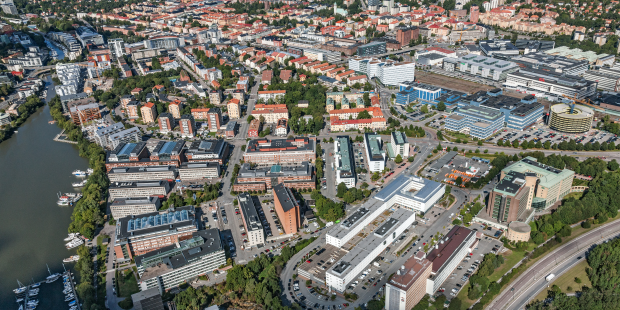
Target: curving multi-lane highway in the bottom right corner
<point>531,282</point>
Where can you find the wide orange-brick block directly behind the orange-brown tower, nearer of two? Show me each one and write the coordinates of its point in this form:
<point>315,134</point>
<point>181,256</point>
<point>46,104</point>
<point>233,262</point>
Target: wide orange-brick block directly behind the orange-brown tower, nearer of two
<point>264,178</point>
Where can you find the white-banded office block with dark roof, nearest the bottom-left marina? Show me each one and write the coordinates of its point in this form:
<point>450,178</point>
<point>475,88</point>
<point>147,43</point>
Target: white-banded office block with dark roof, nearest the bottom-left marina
<point>172,265</point>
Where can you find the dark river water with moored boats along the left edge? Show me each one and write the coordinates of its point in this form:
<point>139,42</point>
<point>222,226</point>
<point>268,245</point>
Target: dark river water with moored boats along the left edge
<point>33,169</point>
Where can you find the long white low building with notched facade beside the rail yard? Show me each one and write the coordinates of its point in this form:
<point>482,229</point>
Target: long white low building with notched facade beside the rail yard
<point>480,66</point>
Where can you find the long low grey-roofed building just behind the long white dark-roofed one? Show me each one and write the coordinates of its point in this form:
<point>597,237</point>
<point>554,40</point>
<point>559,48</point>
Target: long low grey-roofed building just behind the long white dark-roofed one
<point>558,64</point>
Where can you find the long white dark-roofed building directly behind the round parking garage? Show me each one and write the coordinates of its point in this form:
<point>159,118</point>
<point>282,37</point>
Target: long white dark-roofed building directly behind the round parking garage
<point>550,85</point>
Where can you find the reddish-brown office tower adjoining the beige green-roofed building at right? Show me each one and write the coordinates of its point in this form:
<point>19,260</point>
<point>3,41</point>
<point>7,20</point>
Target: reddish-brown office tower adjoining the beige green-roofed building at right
<point>511,199</point>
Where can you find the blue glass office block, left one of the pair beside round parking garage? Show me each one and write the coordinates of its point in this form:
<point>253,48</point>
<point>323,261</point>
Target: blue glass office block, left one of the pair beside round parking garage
<point>477,121</point>
